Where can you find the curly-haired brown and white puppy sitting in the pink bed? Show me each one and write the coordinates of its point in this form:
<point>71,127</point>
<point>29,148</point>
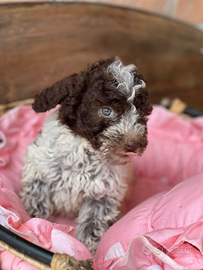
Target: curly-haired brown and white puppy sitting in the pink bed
<point>76,165</point>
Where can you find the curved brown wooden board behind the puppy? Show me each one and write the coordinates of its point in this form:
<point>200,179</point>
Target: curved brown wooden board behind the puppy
<point>42,43</point>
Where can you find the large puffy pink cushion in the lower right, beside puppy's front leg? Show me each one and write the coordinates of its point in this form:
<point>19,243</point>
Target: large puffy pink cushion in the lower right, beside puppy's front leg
<point>164,232</point>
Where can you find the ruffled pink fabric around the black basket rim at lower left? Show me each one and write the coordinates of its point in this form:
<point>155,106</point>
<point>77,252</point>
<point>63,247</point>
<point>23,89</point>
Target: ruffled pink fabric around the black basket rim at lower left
<point>54,237</point>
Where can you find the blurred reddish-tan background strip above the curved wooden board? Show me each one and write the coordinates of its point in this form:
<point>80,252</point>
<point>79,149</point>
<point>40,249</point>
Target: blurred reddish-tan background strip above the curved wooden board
<point>190,11</point>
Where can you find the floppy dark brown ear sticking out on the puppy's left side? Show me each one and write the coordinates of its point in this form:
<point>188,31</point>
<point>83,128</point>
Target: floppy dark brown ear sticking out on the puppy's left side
<point>54,95</point>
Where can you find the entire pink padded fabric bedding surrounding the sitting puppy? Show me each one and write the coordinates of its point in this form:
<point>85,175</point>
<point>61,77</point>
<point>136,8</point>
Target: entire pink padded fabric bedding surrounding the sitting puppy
<point>162,232</point>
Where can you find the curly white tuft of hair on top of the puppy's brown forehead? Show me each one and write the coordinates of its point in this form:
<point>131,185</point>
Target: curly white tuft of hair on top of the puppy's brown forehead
<point>124,76</point>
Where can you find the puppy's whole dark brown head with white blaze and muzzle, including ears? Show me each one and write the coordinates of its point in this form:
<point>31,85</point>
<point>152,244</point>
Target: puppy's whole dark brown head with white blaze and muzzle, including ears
<point>107,104</point>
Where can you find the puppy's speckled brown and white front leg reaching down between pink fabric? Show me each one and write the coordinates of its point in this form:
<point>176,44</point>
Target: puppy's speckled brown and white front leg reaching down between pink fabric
<point>94,219</point>
